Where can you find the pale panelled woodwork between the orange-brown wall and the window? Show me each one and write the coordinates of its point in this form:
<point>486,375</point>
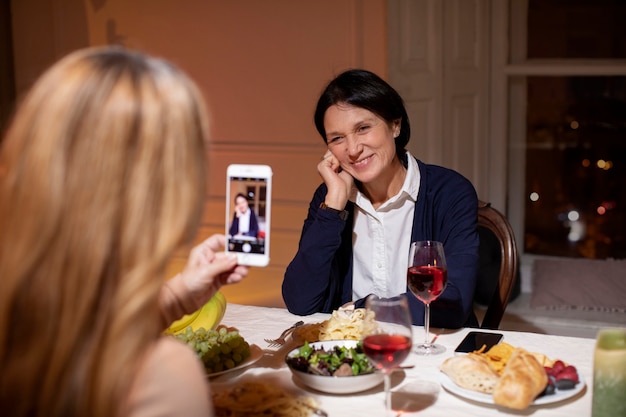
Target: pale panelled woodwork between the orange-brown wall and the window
<point>442,71</point>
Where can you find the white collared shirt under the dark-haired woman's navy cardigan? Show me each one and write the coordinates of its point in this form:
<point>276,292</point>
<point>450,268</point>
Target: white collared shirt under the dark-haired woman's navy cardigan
<point>381,239</point>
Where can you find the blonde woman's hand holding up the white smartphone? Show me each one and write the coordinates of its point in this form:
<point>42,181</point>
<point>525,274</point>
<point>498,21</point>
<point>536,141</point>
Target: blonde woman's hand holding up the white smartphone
<point>208,269</point>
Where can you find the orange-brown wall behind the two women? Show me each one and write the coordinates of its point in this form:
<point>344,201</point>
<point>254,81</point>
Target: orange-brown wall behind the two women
<point>261,65</point>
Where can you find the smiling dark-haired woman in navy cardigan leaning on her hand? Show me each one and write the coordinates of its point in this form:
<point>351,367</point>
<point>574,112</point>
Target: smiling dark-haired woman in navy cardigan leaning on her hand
<point>376,198</point>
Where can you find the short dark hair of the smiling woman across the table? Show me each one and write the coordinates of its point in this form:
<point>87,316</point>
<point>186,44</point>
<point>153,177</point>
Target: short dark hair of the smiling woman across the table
<point>362,88</point>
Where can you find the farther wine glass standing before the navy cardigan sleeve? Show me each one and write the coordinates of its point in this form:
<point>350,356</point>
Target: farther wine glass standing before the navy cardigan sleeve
<point>427,277</point>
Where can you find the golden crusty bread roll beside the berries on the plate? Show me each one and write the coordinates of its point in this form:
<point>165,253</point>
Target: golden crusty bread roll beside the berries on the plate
<point>522,380</point>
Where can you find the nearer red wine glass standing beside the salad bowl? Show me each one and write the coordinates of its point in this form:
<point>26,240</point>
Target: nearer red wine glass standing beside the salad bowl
<point>387,339</point>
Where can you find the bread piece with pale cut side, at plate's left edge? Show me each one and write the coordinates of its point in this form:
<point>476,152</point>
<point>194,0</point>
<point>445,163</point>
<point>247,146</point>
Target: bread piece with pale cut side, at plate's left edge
<point>471,372</point>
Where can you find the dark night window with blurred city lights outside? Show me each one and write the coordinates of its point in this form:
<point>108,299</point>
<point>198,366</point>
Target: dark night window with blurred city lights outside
<point>568,92</point>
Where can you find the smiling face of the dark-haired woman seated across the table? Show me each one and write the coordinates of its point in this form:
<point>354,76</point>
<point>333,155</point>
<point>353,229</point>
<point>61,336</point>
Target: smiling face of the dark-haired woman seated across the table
<point>362,142</point>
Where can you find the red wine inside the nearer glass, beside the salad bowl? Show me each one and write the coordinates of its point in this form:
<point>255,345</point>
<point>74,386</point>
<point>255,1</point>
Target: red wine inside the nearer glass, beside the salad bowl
<point>387,351</point>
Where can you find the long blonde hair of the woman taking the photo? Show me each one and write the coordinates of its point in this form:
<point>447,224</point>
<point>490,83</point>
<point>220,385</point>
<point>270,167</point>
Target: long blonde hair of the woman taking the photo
<point>102,178</point>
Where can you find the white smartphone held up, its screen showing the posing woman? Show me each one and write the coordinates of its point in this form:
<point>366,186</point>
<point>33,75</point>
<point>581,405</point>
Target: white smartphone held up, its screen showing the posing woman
<point>248,213</point>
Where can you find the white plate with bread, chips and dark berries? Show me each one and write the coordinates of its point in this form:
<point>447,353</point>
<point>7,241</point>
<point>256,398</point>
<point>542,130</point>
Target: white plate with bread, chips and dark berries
<point>510,377</point>
